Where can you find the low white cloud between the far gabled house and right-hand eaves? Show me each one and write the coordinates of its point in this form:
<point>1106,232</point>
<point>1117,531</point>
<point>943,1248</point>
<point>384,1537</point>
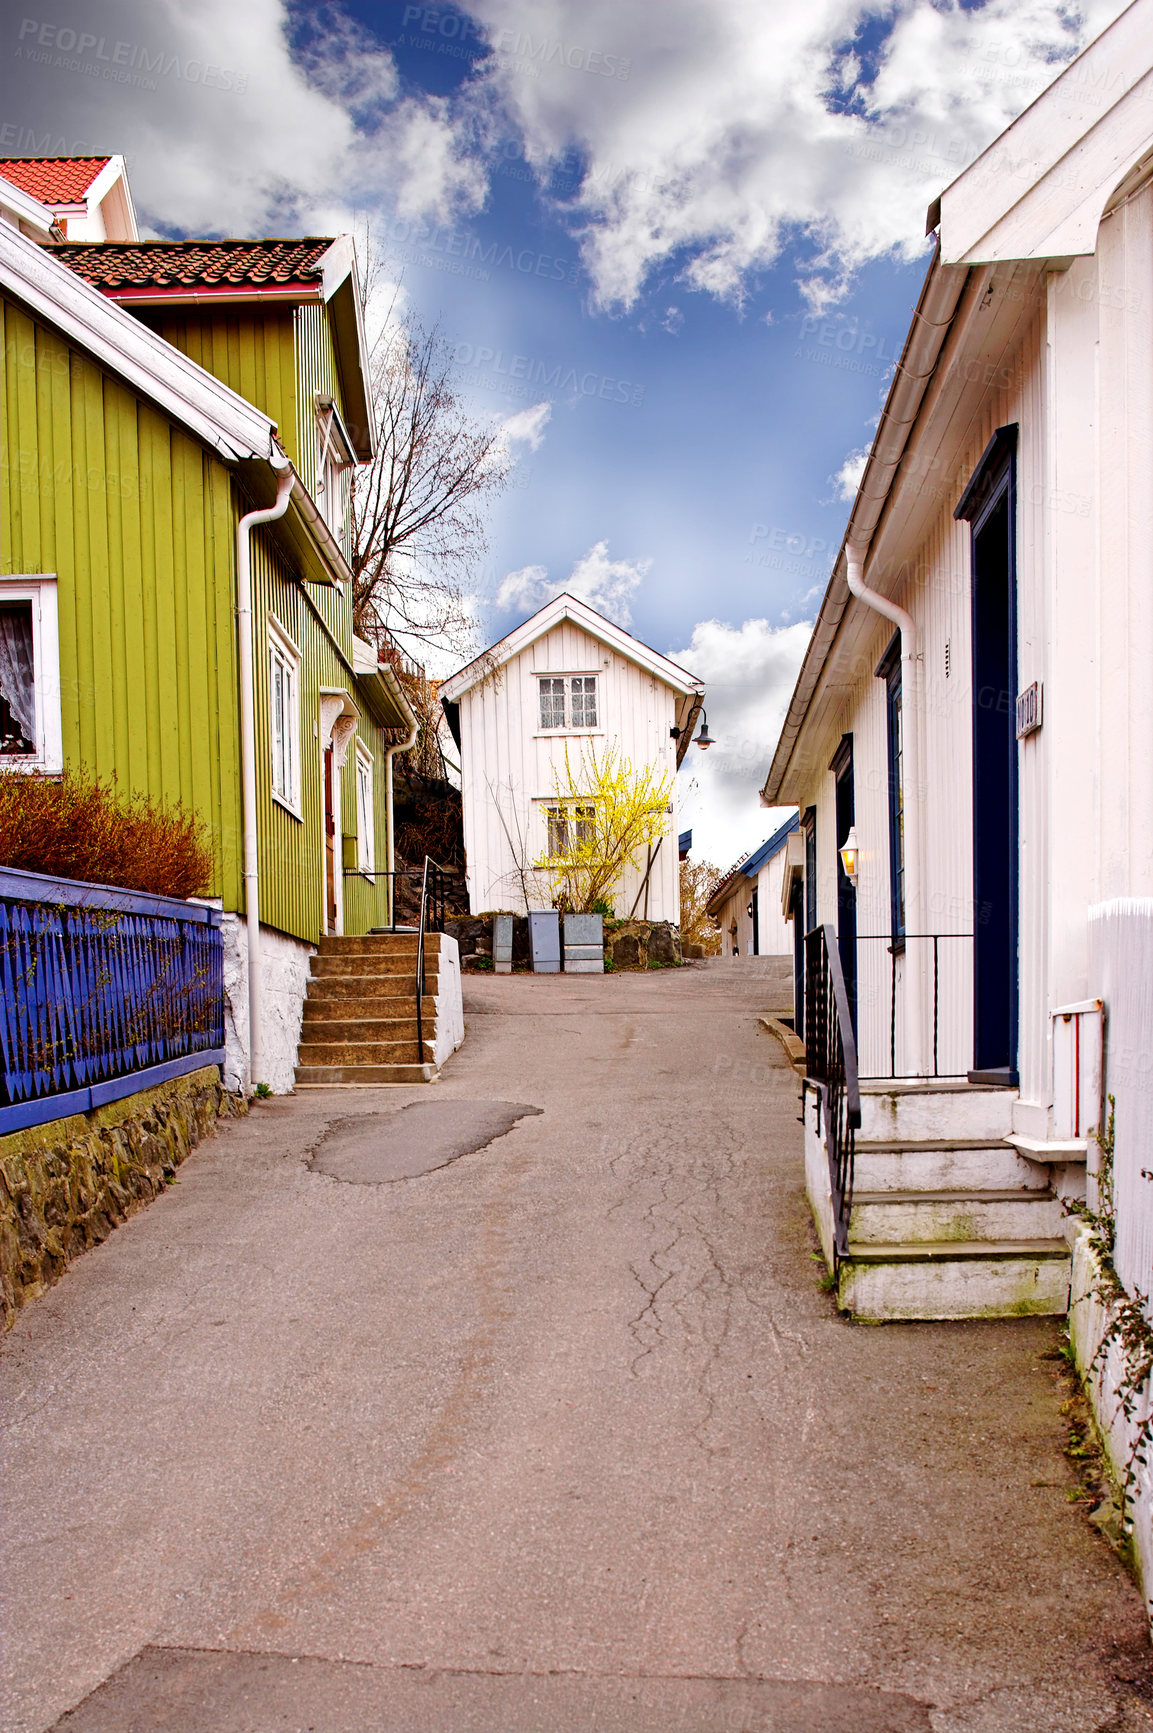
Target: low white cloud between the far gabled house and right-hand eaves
<point>750,673</point>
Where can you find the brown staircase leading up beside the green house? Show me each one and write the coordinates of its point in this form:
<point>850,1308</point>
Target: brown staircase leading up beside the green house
<point>360,1018</point>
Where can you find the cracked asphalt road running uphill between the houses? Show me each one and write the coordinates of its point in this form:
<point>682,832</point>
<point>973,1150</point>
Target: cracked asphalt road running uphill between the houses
<point>556,1436</point>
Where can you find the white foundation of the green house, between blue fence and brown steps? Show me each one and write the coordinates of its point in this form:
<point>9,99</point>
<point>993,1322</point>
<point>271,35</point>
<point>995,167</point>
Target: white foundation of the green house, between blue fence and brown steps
<point>285,973</point>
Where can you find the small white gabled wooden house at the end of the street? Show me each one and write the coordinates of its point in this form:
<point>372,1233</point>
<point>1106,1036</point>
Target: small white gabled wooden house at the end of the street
<point>566,682</point>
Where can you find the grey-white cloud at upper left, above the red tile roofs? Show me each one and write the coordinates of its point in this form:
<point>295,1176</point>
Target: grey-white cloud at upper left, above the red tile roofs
<point>228,133</point>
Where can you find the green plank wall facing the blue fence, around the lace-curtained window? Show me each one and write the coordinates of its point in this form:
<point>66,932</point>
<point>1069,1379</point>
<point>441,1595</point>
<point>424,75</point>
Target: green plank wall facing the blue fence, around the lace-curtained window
<point>136,521</point>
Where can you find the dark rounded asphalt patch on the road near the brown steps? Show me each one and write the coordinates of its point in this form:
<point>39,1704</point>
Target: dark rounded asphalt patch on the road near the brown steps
<point>379,1150</point>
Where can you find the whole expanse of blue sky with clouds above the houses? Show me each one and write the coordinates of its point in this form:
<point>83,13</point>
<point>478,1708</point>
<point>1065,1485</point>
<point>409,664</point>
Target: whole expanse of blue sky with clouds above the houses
<point>674,247</point>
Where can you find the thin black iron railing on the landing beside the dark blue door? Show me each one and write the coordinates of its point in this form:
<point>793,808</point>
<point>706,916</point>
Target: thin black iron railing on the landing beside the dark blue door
<point>946,966</point>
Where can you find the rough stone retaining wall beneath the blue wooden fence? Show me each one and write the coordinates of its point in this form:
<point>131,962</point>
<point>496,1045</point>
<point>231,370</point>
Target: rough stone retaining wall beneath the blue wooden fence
<point>65,1186</point>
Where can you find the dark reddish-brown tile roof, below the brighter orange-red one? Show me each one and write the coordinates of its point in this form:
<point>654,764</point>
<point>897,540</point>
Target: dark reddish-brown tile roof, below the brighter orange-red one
<point>117,266</point>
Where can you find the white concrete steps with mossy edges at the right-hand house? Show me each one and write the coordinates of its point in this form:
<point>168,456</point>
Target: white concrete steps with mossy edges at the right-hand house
<point>949,1219</point>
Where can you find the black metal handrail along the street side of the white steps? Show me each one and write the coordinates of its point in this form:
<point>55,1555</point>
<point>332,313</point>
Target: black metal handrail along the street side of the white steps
<point>831,1065</point>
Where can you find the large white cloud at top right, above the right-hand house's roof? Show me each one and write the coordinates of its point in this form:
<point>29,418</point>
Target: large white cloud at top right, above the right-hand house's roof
<point>715,134</point>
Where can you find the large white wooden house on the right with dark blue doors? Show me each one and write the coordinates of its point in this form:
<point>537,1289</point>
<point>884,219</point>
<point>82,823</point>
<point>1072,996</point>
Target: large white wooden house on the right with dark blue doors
<point>972,734</point>
